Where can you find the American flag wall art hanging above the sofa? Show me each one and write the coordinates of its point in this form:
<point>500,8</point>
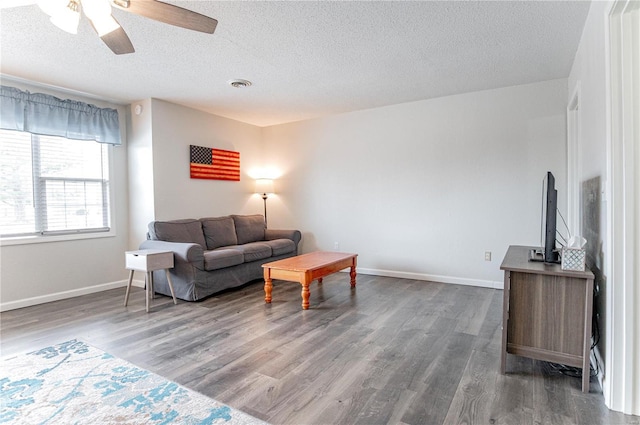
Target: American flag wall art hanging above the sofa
<point>214,164</point>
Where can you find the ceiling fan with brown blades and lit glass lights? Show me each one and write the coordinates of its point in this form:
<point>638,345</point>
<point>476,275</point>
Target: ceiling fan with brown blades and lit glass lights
<point>66,15</point>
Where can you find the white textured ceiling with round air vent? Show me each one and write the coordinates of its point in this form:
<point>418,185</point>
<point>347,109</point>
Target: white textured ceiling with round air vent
<point>305,59</point>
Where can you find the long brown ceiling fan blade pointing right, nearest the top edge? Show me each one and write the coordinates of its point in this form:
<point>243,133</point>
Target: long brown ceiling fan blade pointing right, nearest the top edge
<point>169,14</point>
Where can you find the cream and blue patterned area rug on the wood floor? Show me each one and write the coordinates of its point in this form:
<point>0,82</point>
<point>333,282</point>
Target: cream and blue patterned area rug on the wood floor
<point>75,383</point>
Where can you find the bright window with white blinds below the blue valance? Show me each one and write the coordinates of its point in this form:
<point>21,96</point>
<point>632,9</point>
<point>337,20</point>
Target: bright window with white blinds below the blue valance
<point>52,185</point>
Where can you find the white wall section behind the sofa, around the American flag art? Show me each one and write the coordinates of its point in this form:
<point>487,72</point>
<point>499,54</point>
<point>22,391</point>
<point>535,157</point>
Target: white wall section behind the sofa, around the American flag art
<point>161,135</point>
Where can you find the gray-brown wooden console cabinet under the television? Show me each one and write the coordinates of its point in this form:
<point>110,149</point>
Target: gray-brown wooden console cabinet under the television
<point>546,312</point>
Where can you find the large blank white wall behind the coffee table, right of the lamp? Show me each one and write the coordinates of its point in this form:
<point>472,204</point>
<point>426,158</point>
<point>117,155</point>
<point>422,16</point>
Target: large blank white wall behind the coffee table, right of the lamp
<point>424,189</point>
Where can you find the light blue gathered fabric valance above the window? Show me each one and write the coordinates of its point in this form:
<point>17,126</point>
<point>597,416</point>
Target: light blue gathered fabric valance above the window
<point>44,114</point>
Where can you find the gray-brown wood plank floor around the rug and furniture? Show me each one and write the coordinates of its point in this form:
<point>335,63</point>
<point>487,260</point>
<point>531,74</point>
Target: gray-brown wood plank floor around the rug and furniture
<point>391,351</point>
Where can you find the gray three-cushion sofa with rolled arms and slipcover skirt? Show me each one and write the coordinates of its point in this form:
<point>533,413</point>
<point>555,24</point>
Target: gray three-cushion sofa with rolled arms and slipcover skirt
<point>216,253</point>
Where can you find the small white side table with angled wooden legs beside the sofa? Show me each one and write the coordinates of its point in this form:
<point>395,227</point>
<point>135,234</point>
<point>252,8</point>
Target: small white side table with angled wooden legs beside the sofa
<point>148,260</point>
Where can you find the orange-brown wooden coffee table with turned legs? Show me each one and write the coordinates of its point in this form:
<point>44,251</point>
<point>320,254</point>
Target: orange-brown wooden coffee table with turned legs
<point>305,269</point>
